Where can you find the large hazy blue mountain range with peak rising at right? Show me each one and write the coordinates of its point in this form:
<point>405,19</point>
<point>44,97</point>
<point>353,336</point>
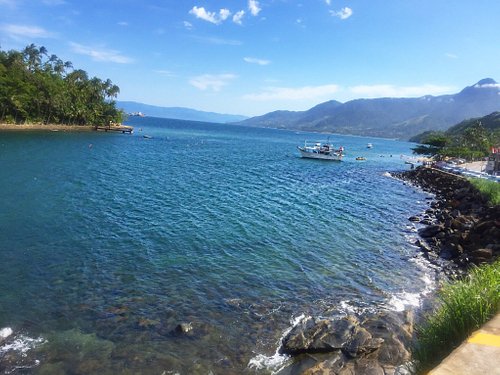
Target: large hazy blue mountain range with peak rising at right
<point>399,118</point>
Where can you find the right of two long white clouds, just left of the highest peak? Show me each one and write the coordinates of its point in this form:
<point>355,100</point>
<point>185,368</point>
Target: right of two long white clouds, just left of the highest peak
<point>378,91</point>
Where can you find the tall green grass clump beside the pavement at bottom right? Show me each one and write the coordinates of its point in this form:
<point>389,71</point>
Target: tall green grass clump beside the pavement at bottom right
<point>465,305</point>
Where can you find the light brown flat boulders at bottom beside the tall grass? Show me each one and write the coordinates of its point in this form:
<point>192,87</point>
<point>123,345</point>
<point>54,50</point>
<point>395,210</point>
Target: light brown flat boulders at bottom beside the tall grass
<point>365,344</point>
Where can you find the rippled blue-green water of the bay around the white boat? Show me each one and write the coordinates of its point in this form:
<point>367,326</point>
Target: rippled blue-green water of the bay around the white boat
<point>109,241</point>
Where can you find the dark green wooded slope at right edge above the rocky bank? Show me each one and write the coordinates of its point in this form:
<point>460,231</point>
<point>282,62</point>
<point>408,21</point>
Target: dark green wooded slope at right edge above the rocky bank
<point>471,139</point>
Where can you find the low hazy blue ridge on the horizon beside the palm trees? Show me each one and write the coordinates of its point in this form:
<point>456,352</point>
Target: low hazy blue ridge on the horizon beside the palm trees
<point>179,113</point>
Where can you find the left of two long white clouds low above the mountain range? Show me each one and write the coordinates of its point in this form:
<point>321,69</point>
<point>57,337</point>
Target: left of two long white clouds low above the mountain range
<point>294,93</point>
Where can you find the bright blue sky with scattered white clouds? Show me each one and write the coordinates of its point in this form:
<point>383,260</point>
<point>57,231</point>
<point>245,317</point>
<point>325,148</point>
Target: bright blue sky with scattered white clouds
<point>251,57</point>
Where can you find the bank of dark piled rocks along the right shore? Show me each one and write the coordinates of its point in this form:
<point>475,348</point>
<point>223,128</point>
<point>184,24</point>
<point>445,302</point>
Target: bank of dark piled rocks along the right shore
<point>460,225</point>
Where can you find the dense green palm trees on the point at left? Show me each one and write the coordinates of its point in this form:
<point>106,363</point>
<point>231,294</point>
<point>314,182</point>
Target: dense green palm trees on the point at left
<point>38,88</point>
